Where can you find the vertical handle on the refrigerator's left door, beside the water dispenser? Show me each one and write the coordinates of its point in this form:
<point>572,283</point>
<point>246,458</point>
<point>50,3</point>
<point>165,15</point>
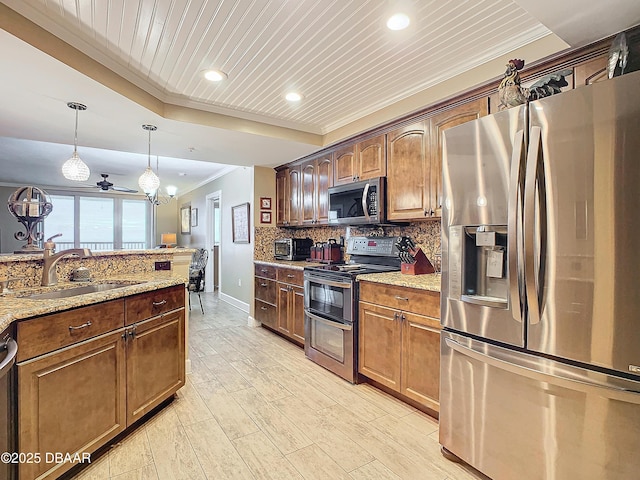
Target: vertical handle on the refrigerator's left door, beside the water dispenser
<point>515,192</point>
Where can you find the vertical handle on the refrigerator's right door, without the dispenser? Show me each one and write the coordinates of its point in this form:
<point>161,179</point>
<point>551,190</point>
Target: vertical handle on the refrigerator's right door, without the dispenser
<point>533,282</point>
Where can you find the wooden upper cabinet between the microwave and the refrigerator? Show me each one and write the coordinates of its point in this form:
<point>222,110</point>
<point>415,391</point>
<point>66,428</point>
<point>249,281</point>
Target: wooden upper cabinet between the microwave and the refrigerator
<point>414,153</point>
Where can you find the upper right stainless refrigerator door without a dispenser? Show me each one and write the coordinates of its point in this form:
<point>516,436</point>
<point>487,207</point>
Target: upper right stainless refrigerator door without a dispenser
<point>582,225</point>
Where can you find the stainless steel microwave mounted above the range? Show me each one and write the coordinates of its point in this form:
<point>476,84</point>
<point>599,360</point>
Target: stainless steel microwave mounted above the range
<point>358,203</point>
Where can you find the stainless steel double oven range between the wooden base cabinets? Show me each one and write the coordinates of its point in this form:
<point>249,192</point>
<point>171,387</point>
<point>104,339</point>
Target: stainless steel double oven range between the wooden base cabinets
<point>331,303</point>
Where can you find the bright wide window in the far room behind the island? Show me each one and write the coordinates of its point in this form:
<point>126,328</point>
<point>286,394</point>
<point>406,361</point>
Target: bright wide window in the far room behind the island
<point>98,222</point>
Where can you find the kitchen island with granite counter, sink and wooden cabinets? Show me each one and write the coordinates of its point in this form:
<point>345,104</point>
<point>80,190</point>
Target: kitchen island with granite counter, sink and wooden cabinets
<point>92,365</point>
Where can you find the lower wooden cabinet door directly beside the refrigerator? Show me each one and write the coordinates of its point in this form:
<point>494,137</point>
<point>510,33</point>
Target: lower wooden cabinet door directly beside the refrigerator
<point>421,359</point>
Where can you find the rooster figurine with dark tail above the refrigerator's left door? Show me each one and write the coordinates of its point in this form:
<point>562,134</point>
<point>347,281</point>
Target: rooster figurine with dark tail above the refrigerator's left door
<point>512,94</point>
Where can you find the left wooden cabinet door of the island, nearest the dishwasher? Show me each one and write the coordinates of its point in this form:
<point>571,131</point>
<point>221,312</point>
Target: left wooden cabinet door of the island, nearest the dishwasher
<point>72,400</point>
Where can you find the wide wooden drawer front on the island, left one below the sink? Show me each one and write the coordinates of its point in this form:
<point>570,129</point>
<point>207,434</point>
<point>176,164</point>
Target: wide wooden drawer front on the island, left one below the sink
<point>51,332</point>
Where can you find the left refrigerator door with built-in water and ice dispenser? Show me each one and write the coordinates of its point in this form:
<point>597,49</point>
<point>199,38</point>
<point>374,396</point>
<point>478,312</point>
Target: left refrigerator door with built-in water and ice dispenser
<point>480,227</point>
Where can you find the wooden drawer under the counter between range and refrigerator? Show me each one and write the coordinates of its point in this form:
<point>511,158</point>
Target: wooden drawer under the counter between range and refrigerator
<point>423,302</point>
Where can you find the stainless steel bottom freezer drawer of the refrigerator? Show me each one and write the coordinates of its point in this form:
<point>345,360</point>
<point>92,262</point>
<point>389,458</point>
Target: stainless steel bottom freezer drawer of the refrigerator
<point>517,416</point>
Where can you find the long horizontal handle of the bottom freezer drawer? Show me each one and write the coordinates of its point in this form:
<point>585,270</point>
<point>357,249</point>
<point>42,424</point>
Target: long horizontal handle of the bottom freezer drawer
<point>573,378</point>
